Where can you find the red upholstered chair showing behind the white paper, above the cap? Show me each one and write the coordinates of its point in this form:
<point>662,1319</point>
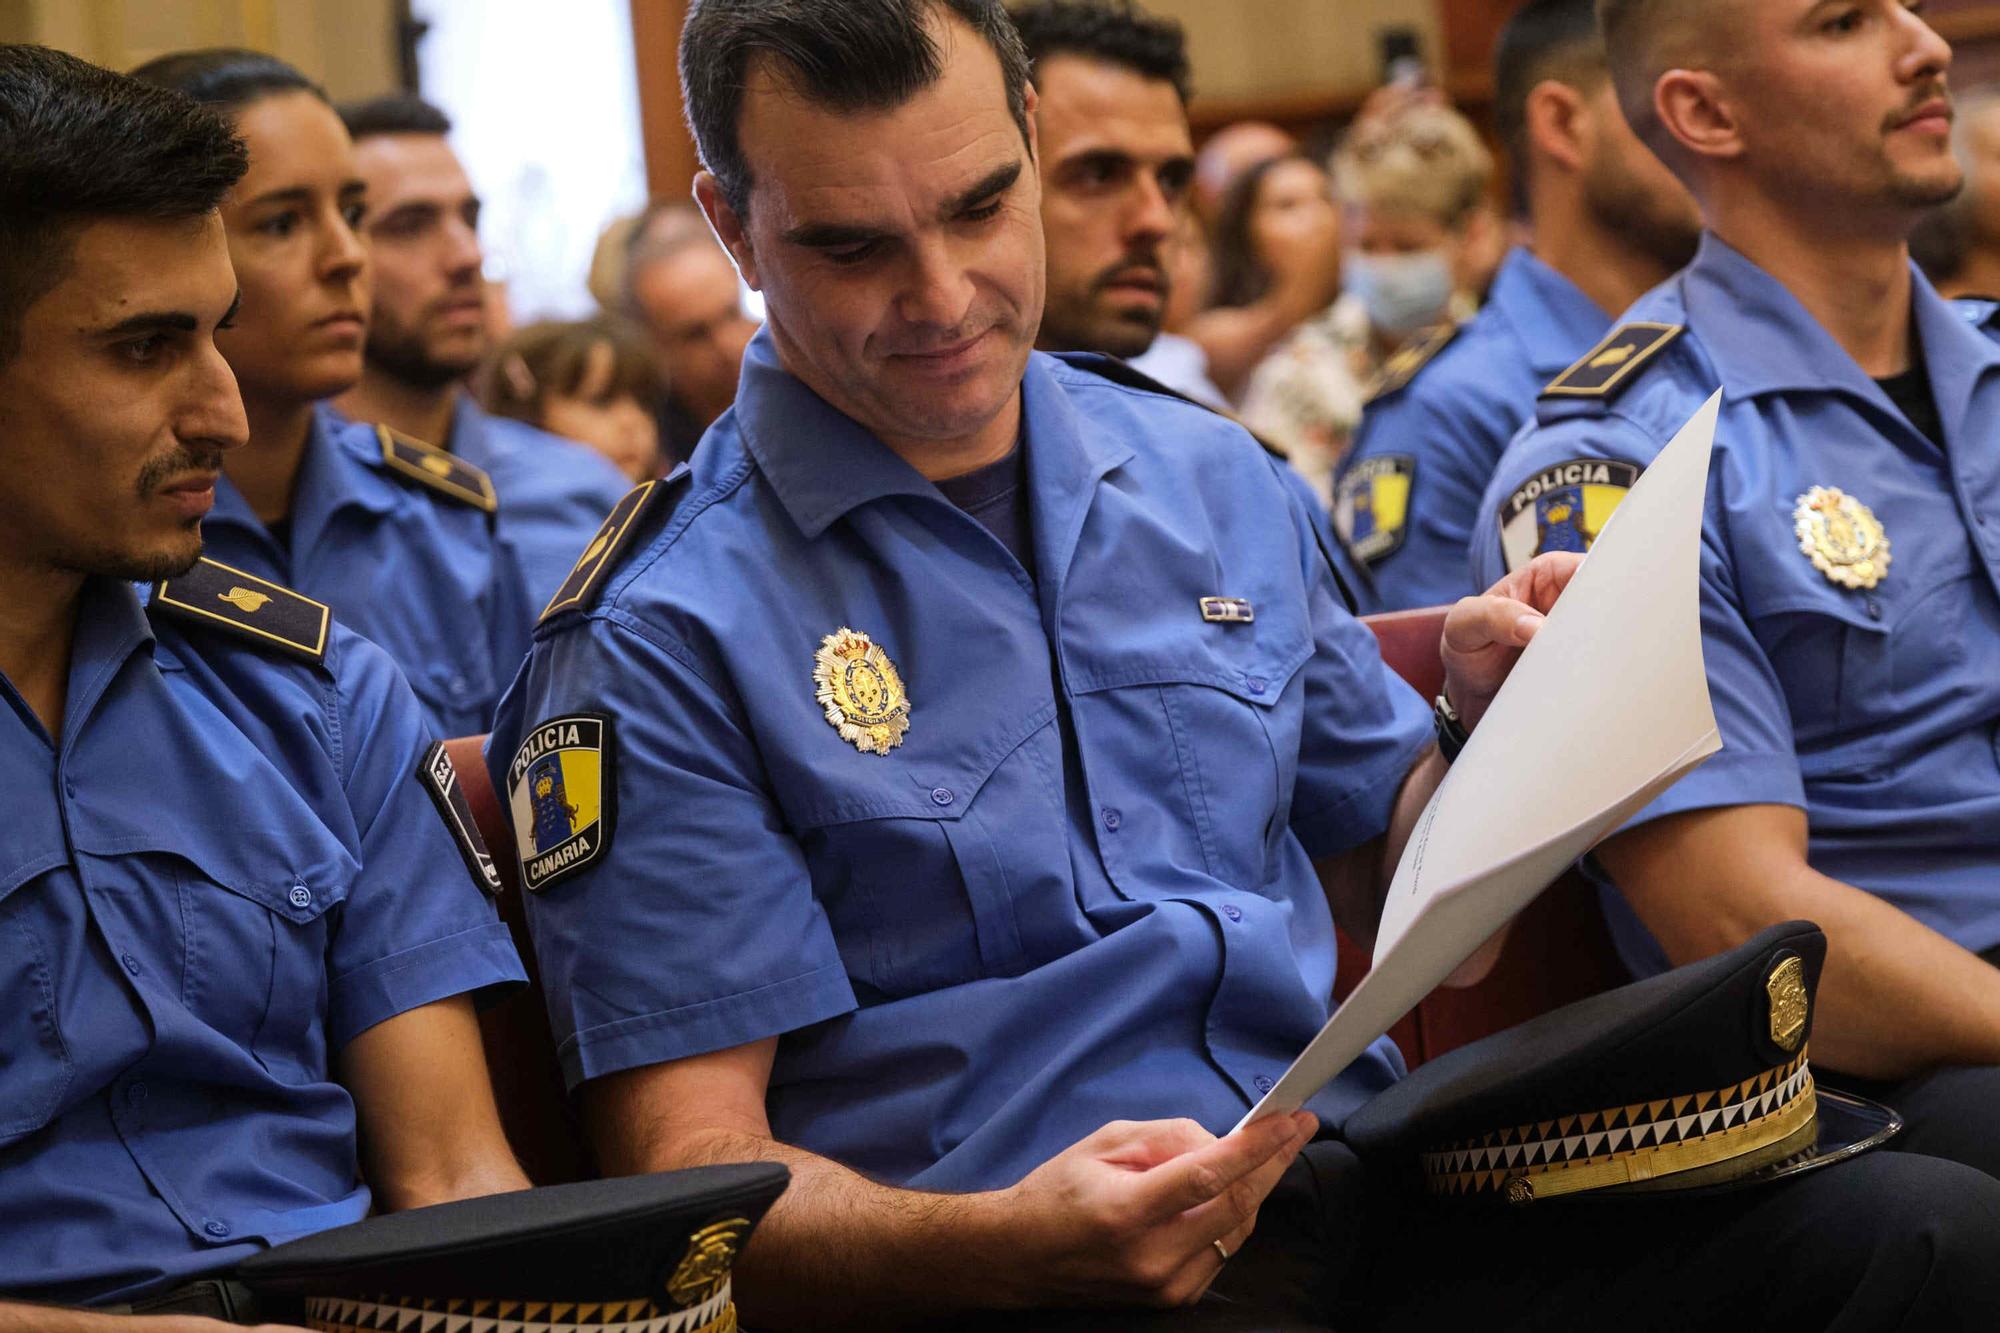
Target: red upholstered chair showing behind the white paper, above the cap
<point>1561,948</point>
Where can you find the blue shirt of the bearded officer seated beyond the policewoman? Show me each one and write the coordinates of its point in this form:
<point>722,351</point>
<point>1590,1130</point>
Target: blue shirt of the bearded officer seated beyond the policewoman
<point>553,491</point>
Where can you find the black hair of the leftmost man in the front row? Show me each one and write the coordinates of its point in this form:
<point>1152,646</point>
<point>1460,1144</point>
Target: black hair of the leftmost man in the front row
<point>83,145</point>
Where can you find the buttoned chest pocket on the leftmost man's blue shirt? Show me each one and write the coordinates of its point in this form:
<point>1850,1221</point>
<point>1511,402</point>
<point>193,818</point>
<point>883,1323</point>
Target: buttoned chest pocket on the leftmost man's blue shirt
<point>239,932</point>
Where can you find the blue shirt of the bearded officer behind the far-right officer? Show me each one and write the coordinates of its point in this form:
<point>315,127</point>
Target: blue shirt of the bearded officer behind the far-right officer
<point>1439,437</point>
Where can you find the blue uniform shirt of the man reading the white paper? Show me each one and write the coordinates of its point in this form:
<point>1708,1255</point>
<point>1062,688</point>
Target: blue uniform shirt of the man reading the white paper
<point>983,944</point>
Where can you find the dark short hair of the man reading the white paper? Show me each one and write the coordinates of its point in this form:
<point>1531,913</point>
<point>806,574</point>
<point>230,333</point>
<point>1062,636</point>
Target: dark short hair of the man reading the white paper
<point>855,55</point>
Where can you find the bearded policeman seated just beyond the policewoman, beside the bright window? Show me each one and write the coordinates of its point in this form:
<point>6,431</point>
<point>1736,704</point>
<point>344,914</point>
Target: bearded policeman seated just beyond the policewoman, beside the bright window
<point>429,331</point>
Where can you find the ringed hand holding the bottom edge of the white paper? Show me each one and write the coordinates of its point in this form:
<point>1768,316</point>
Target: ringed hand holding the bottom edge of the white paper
<point>1133,1214</point>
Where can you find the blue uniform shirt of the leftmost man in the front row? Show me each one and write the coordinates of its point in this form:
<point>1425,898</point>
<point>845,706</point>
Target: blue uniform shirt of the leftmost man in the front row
<point>219,876</point>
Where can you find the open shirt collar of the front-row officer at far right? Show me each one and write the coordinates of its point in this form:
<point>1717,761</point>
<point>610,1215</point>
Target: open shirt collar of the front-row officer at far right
<point>1765,341</point>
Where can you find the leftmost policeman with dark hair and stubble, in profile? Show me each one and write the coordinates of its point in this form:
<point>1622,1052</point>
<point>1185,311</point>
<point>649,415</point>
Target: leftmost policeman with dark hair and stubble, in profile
<point>237,940</point>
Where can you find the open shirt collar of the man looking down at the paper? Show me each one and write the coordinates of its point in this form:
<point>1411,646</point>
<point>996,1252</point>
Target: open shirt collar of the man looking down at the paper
<point>825,465</point>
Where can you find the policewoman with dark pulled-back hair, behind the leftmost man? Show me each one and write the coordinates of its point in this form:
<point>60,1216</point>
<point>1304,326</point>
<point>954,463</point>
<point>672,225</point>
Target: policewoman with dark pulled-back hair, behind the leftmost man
<point>399,537</point>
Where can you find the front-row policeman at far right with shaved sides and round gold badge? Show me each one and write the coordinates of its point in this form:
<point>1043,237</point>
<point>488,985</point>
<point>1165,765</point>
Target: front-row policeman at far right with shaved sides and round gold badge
<point>1853,539</point>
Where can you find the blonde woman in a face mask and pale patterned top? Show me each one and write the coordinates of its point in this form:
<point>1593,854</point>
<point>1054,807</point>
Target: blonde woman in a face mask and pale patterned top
<point>1421,245</point>
